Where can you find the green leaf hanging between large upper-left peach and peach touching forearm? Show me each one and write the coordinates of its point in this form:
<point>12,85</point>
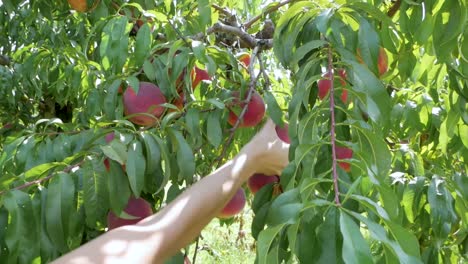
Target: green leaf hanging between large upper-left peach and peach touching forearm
<point>135,167</point>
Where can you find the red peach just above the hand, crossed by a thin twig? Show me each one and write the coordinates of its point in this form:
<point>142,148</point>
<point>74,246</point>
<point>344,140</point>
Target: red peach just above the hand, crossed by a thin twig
<point>254,113</point>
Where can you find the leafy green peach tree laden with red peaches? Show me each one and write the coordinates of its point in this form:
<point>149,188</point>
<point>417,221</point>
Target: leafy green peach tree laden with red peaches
<point>110,103</point>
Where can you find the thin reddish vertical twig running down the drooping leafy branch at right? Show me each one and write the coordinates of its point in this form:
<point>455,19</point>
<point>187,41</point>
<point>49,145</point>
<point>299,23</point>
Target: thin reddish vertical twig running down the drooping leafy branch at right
<point>332,132</point>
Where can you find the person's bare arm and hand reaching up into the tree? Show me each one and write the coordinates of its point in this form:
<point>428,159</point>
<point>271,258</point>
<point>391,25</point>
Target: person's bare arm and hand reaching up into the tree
<point>163,234</point>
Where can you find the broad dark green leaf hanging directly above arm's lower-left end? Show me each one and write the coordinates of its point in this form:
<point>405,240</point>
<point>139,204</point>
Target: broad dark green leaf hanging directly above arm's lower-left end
<point>59,208</point>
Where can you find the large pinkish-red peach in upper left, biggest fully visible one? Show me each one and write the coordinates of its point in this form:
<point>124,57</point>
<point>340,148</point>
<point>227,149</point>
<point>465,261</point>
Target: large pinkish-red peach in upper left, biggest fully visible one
<point>148,100</point>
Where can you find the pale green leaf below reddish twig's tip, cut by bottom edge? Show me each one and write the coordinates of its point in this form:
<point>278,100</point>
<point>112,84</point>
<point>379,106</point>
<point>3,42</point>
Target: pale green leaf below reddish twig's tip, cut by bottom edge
<point>355,248</point>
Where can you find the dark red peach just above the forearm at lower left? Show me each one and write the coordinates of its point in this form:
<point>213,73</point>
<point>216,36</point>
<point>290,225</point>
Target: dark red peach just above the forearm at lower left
<point>136,207</point>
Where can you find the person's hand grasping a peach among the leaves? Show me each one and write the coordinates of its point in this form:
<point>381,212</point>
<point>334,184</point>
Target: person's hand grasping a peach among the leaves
<point>266,151</point>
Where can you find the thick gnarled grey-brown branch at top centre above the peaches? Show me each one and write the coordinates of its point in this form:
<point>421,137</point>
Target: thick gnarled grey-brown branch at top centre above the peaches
<point>250,40</point>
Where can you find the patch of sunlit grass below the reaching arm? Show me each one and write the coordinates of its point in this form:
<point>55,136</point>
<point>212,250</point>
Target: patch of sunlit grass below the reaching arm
<point>227,243</point>
